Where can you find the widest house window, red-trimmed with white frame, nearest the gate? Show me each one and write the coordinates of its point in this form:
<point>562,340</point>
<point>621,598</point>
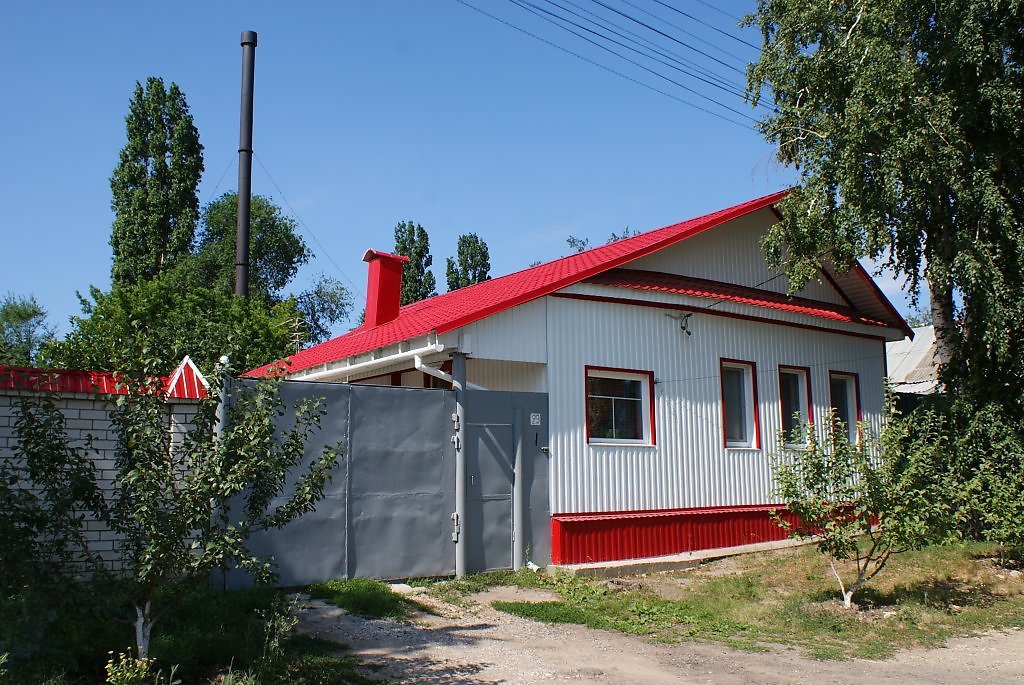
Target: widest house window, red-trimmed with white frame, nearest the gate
<point>619,406</point>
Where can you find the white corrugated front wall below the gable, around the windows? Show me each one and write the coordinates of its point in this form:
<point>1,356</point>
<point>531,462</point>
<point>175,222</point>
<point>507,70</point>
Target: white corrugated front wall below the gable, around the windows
<point>689,467</point>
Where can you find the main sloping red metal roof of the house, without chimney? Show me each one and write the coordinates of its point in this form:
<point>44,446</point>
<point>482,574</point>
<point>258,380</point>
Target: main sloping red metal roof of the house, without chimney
<point>457,309</point>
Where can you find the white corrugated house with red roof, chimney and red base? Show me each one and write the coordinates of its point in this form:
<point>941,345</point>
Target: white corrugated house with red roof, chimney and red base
<point>673,362</point>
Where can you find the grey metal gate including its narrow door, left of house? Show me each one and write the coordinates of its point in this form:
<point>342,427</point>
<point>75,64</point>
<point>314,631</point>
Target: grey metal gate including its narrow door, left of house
<point>388,511</point>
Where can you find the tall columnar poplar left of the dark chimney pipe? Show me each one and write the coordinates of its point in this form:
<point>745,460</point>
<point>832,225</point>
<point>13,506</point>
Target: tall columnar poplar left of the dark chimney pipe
<point>154,186</point>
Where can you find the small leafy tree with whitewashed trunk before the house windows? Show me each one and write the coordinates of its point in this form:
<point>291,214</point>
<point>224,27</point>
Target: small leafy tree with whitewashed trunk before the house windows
<point>865,502</point>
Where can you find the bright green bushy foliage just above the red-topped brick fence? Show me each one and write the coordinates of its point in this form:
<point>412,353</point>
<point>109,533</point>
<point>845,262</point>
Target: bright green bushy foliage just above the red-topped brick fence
<point>122,329</point>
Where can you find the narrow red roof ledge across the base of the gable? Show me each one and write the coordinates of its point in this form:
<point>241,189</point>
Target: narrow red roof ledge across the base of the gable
<point>716,290</point>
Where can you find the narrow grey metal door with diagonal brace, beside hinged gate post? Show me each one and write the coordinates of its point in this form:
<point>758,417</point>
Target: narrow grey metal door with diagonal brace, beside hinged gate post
<point>490,464</point>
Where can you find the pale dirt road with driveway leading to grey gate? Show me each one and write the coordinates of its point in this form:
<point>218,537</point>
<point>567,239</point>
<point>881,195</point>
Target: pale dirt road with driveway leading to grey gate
<point>481,646</point>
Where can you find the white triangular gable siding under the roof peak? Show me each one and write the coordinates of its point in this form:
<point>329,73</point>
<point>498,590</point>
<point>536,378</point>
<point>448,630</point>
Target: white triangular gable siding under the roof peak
<point>732,253</point>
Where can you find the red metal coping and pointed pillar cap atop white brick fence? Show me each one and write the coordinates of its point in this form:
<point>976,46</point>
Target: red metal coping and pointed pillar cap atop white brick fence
<point>186,383</point>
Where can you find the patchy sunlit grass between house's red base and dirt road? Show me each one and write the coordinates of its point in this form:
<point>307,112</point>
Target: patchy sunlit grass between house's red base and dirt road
<point>790,598</point>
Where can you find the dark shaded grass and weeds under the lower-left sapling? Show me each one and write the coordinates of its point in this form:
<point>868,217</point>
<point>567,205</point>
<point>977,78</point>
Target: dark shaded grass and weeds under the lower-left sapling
<point>245,637</point>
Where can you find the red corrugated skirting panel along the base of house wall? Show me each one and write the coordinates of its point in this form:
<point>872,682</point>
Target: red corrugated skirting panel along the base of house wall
<point>635,535</point>
